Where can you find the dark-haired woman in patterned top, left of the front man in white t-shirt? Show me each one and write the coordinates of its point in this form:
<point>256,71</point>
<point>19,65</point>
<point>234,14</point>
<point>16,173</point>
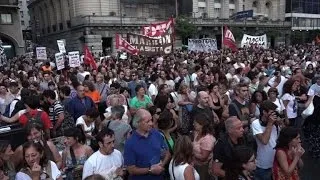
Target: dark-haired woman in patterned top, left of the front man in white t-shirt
<point>76,152</point>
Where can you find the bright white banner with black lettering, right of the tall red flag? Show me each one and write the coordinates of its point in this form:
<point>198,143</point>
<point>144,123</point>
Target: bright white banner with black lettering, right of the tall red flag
<point>254,41</point>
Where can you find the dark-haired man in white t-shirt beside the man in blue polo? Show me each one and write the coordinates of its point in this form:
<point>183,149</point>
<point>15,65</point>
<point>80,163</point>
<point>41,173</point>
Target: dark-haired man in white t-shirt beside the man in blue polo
<point>107,161</point>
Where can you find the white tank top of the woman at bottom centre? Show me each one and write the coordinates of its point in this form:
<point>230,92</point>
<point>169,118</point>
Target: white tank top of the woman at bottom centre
<point>177,172</point>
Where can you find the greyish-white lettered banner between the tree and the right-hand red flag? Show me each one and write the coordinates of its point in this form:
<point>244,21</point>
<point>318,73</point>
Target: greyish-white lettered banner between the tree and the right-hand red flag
<point>202,45</point>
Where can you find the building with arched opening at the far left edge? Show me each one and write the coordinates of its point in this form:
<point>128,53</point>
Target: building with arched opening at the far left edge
<point>10,28</point>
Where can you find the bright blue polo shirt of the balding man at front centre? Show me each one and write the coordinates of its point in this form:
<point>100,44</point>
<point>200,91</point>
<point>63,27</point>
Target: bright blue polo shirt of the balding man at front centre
<point>143,152</point>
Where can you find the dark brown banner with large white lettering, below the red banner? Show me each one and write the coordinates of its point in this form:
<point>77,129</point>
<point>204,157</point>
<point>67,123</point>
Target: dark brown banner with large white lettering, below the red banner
<point>151,46</point>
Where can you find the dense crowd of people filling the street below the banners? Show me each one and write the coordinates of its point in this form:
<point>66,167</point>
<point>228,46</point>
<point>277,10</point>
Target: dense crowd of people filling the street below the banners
<point>189,115</point>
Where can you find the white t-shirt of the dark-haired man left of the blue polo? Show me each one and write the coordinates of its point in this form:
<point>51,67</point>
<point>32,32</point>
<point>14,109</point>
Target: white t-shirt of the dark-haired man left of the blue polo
<point>102,164</point>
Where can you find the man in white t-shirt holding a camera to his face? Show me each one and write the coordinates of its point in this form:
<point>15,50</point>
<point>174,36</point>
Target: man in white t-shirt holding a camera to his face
<point>266,131</point>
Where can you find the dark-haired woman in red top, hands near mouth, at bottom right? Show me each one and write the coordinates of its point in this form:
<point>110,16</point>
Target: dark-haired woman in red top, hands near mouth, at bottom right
<point>288,155</point>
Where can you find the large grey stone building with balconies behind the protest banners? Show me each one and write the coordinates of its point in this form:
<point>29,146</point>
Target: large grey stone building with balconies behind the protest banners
<point>96,22</point>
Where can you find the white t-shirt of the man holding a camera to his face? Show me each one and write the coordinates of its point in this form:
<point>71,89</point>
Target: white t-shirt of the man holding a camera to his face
<point>265,153</point>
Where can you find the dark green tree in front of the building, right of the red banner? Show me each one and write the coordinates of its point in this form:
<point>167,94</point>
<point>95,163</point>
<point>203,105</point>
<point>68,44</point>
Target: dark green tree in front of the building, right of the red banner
<point>184,28</point>
